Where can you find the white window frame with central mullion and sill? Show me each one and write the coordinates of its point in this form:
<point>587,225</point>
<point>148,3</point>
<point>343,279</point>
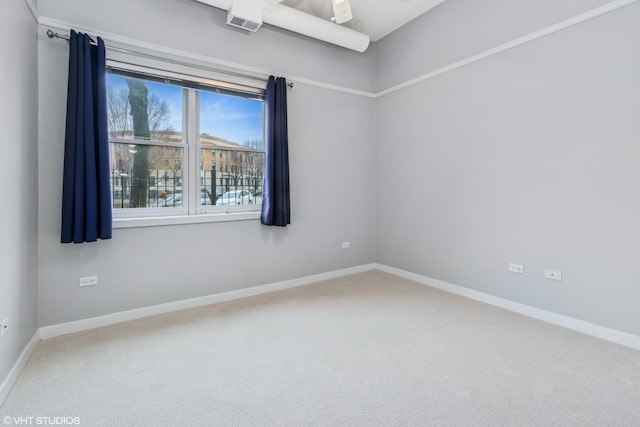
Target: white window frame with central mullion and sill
<point>192,211</point>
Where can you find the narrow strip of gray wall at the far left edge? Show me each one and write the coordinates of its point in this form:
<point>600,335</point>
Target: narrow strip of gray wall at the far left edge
<point>18,163</point>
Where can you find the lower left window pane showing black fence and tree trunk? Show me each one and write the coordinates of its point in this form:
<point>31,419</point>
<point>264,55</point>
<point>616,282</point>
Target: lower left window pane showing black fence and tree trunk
<point>155,186</point>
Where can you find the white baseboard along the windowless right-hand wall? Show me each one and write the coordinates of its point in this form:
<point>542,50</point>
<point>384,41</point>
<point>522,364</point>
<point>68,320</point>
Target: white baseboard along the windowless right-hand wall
<point>607,334</point>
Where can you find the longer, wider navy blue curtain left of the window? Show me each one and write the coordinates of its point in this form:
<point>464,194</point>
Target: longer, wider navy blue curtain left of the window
<point>86,195</point>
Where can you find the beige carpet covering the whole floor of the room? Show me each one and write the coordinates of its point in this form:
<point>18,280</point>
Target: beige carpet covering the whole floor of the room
<point>364,350</point>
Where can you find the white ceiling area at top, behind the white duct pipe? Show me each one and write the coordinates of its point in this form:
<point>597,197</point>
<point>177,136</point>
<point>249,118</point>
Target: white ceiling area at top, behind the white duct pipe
<point>376,18</point>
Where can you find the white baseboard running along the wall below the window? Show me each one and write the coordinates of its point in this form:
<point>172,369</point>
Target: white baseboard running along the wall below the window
<point>123,316</point>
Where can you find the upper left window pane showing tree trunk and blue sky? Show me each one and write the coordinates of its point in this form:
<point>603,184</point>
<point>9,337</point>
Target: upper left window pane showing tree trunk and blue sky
<point>146,109</point>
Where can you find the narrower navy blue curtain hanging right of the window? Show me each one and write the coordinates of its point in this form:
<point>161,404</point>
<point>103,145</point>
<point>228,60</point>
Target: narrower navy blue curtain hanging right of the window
<point>276,208</point>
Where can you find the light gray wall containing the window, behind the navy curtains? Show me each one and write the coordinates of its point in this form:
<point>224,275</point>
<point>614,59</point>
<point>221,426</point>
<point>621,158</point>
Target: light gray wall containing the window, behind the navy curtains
<point>332,172</point>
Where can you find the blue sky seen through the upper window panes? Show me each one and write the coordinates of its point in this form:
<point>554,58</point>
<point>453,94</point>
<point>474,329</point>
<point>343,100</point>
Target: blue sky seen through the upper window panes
<point>232,118</point>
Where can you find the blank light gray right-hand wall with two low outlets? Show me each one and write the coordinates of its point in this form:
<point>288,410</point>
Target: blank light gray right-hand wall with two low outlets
<point>529,156</point>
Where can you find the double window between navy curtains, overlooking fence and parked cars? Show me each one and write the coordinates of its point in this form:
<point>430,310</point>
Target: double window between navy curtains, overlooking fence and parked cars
<point>164,132</point>
